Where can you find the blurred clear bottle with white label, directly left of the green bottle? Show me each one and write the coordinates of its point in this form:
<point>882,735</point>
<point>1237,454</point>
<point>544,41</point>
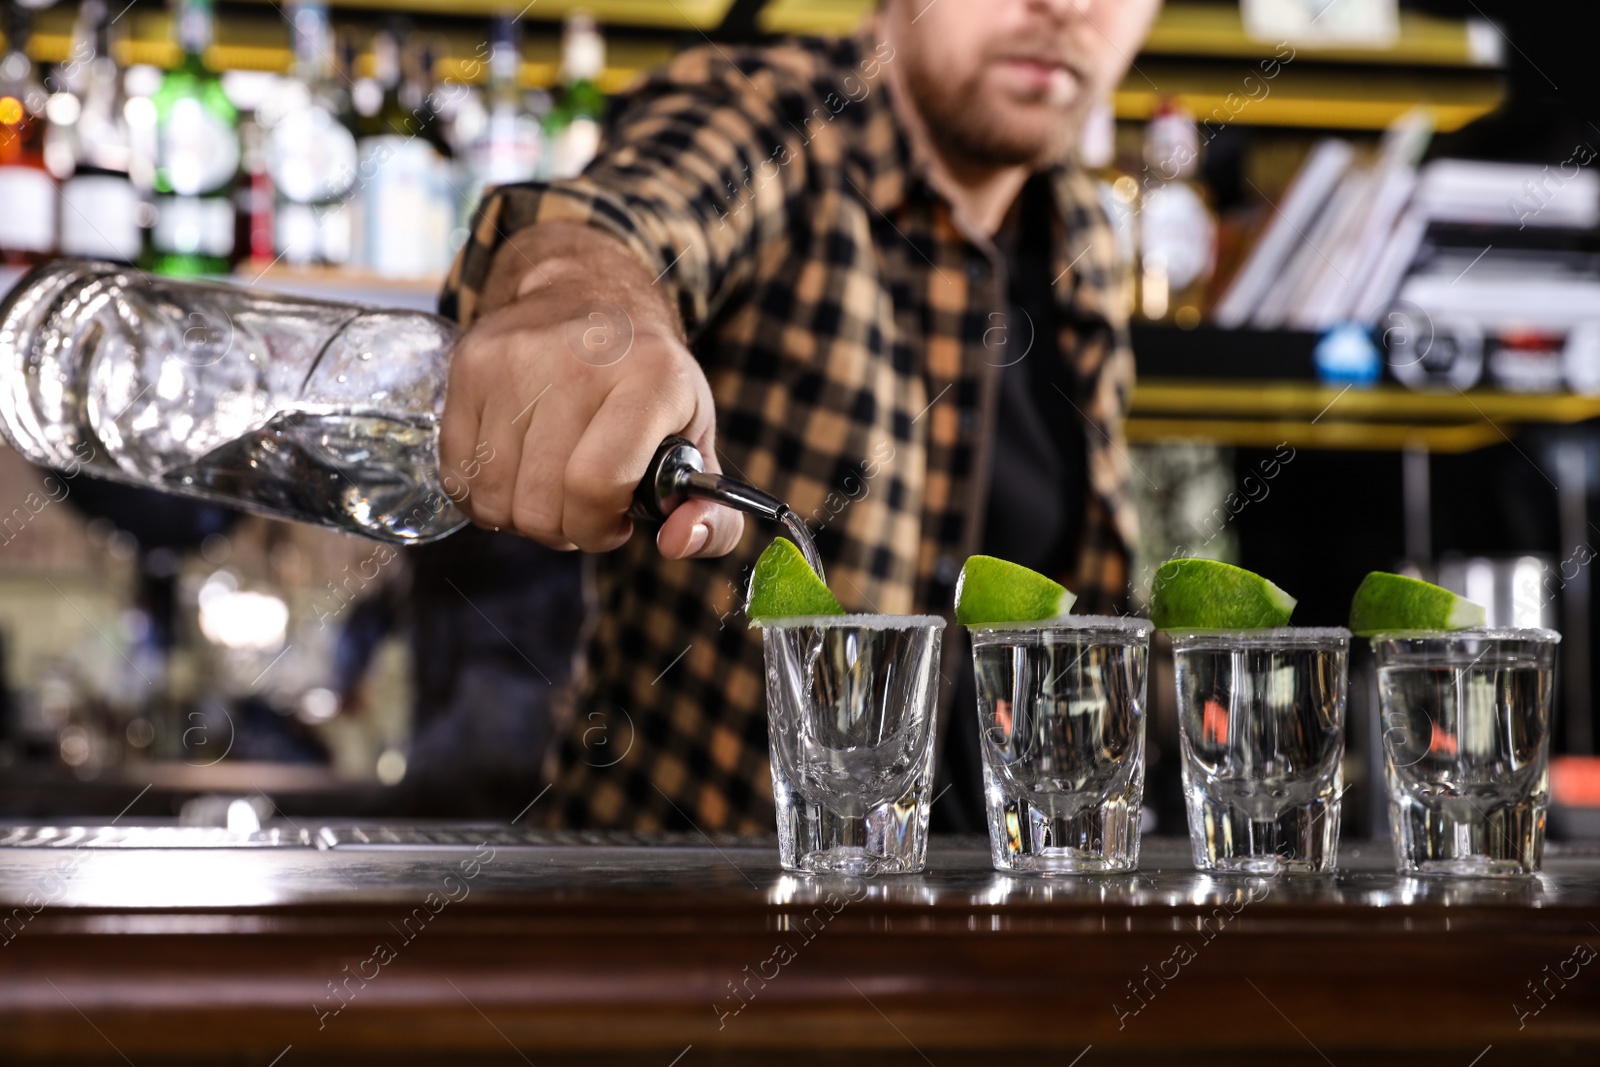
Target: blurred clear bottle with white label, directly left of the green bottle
<point>100,206</point>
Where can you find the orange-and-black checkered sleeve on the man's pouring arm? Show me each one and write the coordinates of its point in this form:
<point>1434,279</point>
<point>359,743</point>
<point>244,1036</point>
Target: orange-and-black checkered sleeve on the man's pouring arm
<point>695,177</point>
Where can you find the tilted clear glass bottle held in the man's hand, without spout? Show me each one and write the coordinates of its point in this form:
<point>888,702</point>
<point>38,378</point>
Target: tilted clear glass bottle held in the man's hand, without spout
<point>298,409</point>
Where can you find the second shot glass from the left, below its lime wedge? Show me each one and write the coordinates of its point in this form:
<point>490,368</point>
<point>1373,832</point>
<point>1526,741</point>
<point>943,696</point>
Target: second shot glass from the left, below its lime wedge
<point>1062,725</point>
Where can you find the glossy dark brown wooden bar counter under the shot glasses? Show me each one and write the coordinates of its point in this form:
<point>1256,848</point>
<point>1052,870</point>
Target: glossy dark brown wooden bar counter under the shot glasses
<point>498,946</point>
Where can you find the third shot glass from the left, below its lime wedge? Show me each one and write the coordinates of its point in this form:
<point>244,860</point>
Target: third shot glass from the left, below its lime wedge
<point>1262,729</point>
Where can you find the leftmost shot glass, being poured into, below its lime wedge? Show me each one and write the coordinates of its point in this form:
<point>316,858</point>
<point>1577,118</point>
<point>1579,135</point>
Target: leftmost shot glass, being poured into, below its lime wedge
<point>852,705</point>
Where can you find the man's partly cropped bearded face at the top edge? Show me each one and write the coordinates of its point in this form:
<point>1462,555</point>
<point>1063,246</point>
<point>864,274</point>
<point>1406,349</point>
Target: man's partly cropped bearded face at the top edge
<point>1009,82</point>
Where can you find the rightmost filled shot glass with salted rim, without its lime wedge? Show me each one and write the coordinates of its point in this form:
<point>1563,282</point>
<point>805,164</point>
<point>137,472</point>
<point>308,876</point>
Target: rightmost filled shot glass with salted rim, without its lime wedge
<point>1466,727</point>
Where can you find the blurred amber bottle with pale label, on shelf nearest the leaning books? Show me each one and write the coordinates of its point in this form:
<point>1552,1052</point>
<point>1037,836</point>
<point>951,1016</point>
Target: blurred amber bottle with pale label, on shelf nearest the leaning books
<point>1177,223</point>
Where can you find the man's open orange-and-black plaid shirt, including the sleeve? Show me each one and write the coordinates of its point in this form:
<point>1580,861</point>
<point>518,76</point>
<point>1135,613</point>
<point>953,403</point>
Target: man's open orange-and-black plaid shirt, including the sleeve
<point>849,329</point>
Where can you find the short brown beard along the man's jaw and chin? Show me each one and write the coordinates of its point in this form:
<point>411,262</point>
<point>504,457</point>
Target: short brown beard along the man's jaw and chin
<point>967,134</point>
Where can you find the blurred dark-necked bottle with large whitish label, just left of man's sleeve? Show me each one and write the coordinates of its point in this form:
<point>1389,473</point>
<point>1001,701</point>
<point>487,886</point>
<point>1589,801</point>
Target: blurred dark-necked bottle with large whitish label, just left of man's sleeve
<point>407,198</point>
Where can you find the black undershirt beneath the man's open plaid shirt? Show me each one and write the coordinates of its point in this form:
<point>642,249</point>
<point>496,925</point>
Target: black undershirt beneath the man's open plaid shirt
<point>1038,474</point>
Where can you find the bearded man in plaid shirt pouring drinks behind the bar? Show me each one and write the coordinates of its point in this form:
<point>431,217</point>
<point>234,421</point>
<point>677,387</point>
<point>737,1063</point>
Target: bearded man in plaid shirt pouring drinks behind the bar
<point>858,274</point>
